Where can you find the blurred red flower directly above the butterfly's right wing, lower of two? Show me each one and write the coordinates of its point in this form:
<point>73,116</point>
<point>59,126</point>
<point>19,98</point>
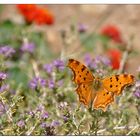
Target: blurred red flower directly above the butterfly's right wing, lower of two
<point>115,57</point>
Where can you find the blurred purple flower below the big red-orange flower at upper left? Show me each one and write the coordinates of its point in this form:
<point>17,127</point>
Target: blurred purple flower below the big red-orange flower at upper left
<point>28,47</point>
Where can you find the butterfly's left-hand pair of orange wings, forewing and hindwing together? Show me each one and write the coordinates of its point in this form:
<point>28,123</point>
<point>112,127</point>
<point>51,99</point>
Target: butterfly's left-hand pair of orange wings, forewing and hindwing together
<point>84,79</point>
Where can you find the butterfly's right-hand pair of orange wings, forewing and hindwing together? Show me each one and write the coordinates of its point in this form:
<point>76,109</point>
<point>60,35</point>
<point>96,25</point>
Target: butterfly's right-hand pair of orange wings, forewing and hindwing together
<point>111,86</point>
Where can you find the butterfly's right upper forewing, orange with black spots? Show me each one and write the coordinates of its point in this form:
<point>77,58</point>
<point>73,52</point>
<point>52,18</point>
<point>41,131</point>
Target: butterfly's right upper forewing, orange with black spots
<point>116,83</point>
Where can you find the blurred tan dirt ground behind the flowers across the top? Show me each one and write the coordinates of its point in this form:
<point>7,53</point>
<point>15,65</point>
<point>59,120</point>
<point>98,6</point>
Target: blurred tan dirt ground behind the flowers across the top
<point>126,17</point>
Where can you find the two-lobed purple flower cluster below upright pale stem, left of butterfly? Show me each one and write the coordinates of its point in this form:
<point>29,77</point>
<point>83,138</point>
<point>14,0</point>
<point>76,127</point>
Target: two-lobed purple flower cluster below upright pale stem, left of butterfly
<point>37,81</point>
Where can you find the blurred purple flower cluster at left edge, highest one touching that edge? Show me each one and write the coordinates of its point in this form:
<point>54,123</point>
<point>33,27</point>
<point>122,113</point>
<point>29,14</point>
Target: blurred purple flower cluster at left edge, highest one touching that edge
<point>7,51</point>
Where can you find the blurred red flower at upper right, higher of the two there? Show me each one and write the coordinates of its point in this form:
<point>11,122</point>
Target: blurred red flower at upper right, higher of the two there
<point>112,32</point>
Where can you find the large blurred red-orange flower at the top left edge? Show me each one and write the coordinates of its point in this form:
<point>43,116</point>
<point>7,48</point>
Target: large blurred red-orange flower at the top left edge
<point>33,13</point>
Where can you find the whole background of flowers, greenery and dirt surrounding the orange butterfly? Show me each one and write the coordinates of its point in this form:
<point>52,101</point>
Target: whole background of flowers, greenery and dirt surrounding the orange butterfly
<point>37,95</point>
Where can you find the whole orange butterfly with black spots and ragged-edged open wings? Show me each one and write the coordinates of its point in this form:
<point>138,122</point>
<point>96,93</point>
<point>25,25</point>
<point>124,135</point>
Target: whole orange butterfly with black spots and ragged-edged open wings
<point>98,93</point>
